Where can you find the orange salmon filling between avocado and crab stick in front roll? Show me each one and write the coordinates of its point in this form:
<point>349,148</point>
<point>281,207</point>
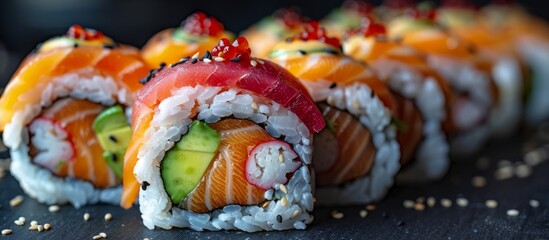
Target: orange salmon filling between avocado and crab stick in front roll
<point>224,182</point>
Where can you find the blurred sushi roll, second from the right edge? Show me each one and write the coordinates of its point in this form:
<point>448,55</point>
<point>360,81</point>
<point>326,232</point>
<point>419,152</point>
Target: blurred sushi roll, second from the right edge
<point>463,20</point>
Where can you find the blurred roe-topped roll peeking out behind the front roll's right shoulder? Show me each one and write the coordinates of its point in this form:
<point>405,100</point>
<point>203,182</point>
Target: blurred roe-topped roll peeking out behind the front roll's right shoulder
<point>272,29</point>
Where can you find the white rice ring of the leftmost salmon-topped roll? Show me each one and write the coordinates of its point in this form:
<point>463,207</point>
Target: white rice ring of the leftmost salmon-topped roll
<point>40,183</point>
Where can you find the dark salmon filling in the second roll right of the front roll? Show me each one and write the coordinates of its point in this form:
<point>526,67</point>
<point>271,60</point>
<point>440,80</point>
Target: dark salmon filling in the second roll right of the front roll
<point>409,123</point>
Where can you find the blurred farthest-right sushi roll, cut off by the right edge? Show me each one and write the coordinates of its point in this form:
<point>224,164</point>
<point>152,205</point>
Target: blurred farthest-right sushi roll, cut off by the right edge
<point>530,39</point>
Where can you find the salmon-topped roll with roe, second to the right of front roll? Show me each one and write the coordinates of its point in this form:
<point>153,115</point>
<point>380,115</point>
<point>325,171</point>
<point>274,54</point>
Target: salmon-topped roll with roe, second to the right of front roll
<point>421,94</point>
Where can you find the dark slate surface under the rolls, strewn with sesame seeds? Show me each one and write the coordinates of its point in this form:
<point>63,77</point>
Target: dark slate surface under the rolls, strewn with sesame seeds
<point>389,221</point>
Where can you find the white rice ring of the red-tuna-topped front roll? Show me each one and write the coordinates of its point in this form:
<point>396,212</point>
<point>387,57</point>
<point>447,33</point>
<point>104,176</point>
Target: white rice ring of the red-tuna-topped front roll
<point>171,121</point>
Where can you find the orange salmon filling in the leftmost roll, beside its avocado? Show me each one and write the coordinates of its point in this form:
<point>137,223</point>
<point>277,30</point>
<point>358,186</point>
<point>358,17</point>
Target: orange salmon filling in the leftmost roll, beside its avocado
<point>76,118</point>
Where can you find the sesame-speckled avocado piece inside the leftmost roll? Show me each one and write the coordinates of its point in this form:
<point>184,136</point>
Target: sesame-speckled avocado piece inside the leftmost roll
<point>114,133</point>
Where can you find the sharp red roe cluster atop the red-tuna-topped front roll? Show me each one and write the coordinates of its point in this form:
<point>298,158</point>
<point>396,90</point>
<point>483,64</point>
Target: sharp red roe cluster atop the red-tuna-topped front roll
<point>238,50</point>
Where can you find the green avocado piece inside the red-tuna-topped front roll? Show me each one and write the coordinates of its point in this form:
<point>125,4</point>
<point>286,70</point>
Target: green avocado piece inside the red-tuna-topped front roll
<point>185,164</point>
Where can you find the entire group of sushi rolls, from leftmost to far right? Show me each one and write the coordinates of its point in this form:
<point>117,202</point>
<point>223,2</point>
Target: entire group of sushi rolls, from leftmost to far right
<point>209,131</point>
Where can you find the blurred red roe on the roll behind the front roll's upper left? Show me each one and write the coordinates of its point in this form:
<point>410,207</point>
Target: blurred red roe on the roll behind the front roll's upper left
<point>201,24</point>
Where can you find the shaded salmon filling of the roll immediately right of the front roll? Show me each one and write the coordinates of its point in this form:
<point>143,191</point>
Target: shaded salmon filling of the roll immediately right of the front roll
<point>354,149</point>
